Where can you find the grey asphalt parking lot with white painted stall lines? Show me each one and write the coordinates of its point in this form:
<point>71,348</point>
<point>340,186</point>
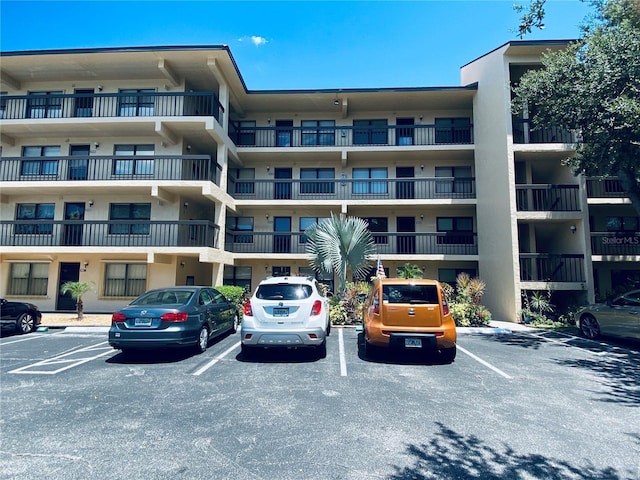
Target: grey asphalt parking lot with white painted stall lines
<point>513,405</point>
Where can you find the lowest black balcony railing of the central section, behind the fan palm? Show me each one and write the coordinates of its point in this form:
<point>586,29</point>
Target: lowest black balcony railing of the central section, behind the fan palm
<point>386,243</point>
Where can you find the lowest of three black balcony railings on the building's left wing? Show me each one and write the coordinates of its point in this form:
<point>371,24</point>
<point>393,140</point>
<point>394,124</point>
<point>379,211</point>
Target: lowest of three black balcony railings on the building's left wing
<point>113,233</point>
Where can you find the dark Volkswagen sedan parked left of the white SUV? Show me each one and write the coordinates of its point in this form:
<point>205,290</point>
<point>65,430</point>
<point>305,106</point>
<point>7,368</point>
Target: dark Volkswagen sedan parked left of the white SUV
<point>173,317</point>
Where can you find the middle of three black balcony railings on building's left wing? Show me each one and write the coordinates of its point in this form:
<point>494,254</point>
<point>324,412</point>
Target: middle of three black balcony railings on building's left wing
<point>178,167</point>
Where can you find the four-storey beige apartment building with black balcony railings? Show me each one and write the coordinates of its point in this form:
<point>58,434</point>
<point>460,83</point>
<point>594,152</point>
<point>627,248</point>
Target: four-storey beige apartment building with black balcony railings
<point>144,167</point>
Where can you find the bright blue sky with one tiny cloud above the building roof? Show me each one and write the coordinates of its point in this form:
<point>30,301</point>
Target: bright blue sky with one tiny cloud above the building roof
<point>296,44</point>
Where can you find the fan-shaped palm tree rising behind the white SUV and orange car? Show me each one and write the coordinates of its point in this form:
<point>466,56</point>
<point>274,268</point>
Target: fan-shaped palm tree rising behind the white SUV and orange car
<point>337,244</point>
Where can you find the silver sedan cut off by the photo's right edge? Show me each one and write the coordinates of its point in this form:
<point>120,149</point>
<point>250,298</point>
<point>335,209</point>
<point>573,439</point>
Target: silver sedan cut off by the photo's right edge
<point>619,317</point>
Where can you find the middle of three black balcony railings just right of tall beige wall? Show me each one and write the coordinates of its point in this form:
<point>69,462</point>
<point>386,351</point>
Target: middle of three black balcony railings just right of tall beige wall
<point>548,198</point>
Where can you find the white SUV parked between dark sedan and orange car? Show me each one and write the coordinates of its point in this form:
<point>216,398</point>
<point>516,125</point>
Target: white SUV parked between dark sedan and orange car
<point>286,312</point>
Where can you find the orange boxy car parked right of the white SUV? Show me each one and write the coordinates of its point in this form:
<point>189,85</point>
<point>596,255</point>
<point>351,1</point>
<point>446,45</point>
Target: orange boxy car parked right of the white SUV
<point>409,314</point>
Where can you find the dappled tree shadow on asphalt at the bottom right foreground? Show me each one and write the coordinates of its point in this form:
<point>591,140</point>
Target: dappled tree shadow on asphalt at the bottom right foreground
<point>451,455</point>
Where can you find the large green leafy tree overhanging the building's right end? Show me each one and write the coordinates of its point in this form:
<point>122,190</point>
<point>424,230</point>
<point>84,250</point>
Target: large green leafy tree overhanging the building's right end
<point>593,87</point>
